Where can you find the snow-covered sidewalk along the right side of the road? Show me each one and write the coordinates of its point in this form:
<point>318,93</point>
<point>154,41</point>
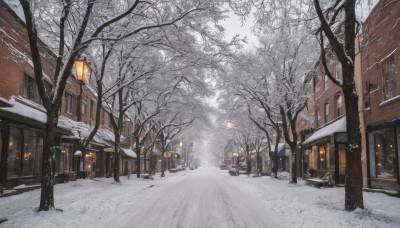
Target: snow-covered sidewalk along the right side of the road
<point>301,205</point>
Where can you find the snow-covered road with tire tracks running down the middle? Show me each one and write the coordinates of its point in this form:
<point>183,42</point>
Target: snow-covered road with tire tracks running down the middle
<point>202,198</point>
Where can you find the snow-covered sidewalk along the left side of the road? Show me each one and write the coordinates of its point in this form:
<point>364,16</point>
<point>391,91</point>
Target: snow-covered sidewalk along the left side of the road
<point>84,202</point>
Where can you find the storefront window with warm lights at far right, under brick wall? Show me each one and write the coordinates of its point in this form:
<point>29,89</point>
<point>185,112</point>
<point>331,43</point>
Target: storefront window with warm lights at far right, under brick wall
<point>385,156</point>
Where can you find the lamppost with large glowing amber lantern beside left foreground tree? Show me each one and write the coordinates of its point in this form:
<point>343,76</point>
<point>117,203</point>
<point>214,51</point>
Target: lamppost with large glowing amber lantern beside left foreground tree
<point>82,69</point>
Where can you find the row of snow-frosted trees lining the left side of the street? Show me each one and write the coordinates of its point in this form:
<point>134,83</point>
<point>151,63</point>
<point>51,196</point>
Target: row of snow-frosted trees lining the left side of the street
<point>149,64</point>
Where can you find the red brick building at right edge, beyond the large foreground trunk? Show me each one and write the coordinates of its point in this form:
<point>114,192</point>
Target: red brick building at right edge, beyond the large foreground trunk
<point>381,91</point>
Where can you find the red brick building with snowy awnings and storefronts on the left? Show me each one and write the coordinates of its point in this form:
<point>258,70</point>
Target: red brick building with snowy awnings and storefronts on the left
<point>22,117</point>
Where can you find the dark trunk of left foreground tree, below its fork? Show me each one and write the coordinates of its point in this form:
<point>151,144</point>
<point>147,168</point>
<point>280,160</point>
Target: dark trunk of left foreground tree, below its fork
<point>47,179</point>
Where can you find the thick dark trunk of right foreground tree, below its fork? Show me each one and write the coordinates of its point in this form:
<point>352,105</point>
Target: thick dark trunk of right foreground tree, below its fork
<point>353,189</point>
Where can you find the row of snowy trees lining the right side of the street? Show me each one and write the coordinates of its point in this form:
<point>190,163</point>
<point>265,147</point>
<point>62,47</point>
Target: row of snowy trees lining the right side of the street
<point>272,84</point>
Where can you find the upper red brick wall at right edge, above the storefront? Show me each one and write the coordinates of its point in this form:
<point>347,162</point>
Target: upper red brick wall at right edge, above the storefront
<point>380,37</point>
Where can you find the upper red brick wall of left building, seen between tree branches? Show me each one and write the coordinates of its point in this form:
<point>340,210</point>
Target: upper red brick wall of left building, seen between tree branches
<point>15,61</point>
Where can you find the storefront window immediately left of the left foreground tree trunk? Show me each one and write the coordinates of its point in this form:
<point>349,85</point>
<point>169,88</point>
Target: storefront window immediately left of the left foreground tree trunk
<point>28,153</point>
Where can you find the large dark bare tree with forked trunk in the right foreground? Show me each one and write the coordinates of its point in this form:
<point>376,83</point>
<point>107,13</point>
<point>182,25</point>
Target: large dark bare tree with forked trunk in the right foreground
<point>344,49</point>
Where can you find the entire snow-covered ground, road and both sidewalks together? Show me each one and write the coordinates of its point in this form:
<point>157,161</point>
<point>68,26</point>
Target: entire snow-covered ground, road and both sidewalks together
<point>207,197</point>
